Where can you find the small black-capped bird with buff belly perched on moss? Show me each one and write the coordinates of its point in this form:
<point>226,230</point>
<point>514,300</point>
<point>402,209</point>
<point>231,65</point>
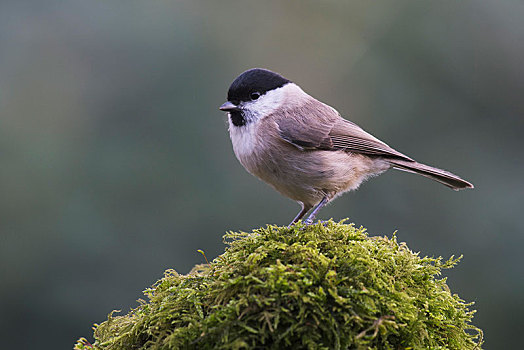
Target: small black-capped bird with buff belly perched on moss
<point>303,147</point>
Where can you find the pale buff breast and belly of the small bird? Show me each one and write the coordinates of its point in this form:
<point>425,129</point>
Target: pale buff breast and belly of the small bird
<point>302,175</point>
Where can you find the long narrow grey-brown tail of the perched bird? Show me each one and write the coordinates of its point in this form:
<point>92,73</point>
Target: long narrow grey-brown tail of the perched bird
<point>439,175</point>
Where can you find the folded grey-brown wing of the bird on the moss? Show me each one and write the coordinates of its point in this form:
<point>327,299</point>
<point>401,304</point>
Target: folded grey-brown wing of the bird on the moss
<point>329,131</point>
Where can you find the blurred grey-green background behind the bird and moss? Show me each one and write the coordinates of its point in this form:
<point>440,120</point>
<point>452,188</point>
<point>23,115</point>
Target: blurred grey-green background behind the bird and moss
<point>116,164</point>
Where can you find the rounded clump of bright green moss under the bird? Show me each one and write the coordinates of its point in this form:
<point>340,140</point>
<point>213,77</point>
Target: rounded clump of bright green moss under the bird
<point>326,286</point>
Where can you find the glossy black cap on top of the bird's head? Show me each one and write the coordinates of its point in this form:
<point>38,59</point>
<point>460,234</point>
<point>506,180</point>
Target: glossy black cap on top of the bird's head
<point>254,80</point>
